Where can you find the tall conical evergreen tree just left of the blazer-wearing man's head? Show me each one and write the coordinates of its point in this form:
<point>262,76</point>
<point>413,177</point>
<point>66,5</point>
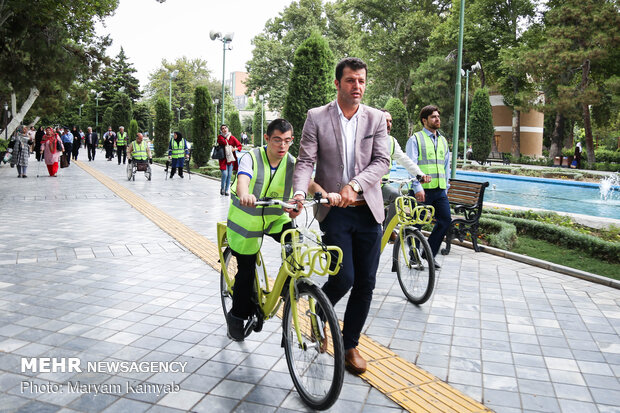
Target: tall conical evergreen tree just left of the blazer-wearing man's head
<point>310,85</point>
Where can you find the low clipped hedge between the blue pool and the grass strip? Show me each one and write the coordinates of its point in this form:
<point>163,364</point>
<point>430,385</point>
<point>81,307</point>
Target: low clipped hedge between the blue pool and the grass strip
<point>596,247</point>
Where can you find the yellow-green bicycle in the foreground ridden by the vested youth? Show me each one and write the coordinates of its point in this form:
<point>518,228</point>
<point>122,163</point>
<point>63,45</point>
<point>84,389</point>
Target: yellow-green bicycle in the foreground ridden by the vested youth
<point>309,320</point>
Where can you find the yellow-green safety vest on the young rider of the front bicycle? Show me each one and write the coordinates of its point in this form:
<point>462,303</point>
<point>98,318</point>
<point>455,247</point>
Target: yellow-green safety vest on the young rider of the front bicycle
<point>246,225</point>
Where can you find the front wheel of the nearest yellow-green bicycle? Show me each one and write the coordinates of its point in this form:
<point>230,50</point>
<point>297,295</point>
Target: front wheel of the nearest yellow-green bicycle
<point>317,374</point>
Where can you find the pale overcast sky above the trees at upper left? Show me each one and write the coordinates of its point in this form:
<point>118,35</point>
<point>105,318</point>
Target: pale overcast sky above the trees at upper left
<point>150,31</point>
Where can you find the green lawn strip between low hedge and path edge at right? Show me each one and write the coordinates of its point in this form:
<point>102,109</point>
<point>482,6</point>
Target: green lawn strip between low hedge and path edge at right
<point>565,256</point>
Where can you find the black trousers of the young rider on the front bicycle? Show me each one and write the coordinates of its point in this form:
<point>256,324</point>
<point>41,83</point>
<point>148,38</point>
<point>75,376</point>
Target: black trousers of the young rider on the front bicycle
<point>244,280</point>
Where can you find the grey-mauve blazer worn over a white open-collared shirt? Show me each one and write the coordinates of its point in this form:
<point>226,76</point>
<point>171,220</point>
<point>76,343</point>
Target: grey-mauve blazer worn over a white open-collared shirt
<point>321,145</point>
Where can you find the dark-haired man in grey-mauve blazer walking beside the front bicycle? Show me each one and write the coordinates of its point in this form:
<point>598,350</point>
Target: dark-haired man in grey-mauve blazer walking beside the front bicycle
<point>348,144</point>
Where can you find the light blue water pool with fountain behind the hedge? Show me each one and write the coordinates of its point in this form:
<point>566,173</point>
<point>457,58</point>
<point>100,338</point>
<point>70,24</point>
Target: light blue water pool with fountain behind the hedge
<point>552,194</point>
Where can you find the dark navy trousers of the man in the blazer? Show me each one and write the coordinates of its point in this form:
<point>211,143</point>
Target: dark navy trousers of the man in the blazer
<point>356,232</point>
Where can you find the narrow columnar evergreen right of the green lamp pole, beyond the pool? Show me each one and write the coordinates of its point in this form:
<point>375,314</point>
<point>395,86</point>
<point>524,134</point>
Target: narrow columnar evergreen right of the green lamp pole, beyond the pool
<point>480,128</point>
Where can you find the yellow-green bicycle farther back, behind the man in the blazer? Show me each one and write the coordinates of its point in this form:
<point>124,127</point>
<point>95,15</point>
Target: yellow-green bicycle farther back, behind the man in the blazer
<point>415,272</point>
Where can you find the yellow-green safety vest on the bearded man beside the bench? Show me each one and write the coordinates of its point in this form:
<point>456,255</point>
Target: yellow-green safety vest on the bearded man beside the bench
<point>431,161</point>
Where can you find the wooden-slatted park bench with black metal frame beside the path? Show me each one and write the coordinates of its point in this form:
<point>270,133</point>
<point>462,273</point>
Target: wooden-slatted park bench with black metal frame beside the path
<point>465,199</point>
